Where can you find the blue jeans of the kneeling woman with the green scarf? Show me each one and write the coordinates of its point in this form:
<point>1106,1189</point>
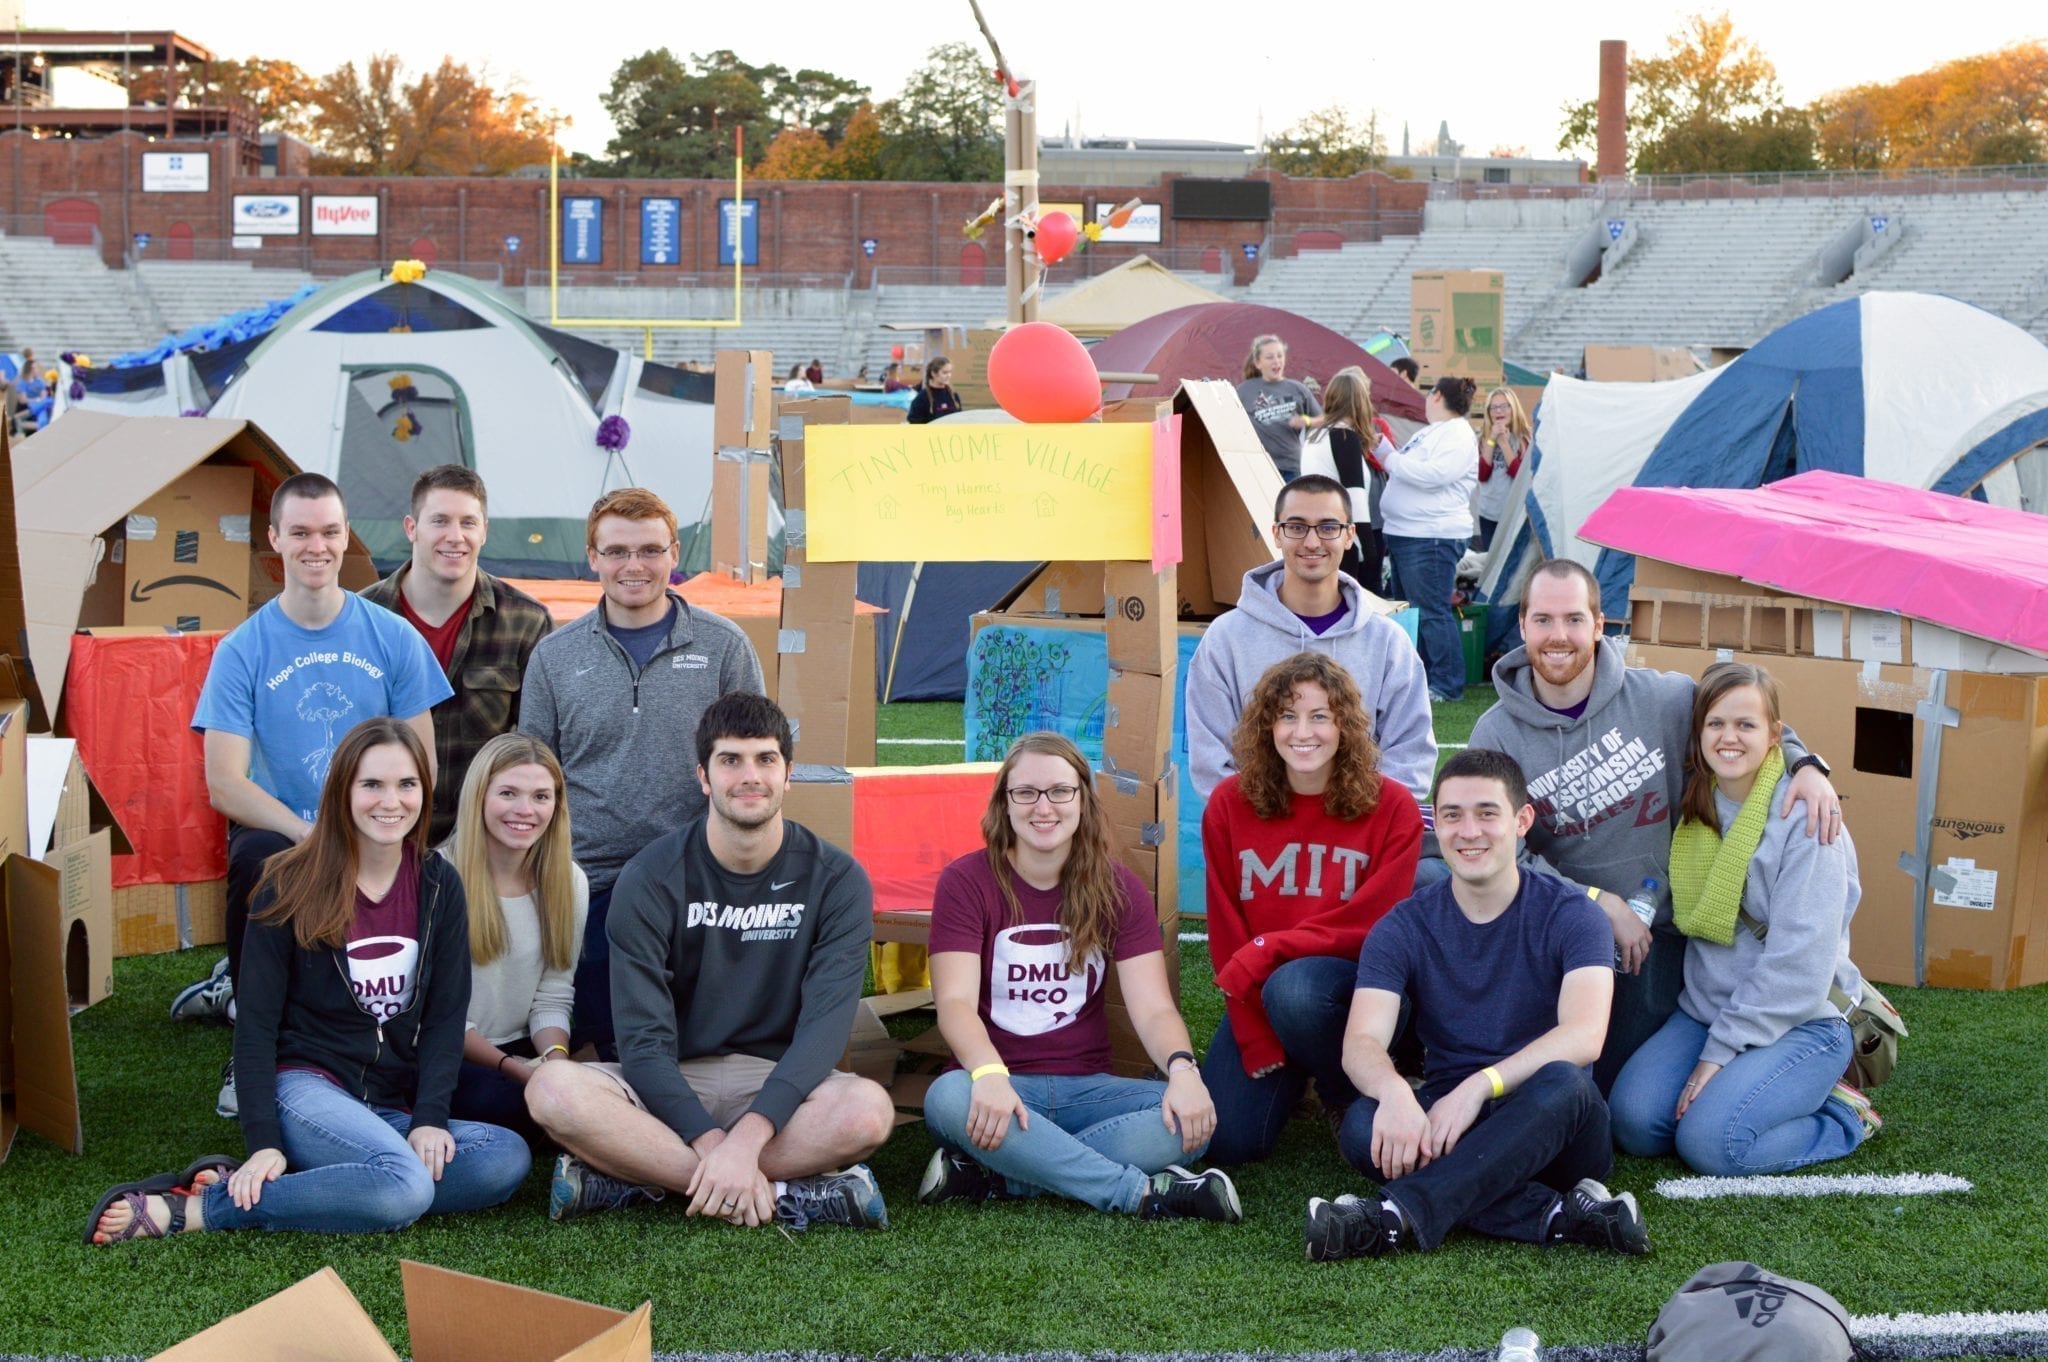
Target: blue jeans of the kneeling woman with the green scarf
<point>1766,1113</point>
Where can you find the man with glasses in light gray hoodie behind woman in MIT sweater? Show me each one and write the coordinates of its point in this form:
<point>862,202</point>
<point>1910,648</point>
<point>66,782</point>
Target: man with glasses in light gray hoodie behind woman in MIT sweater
<point>1306,603</point>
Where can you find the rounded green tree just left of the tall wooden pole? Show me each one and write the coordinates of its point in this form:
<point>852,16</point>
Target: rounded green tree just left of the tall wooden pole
<point>947,122</point>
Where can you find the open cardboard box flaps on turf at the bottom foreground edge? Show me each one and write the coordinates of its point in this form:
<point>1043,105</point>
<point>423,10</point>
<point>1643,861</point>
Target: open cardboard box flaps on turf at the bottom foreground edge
<point>452,1318</point>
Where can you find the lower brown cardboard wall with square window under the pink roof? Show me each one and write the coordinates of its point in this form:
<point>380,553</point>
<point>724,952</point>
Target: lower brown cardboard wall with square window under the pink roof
<point>1988,841</point>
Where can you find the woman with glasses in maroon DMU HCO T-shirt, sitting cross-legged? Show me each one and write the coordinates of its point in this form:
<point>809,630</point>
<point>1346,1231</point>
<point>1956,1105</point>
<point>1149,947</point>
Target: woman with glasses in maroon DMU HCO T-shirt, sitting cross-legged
<point>1023,935</point>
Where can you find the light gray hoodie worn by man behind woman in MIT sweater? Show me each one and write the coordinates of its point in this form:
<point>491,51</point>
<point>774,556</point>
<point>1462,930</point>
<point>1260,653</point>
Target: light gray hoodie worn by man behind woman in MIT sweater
<point>1261,632</point>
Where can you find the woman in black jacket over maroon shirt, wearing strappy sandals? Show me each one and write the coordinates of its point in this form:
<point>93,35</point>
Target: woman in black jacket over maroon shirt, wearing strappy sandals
<point>349,1035</point>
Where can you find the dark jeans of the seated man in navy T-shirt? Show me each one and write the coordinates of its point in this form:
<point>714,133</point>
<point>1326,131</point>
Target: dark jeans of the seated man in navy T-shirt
<point>1508,1171</point>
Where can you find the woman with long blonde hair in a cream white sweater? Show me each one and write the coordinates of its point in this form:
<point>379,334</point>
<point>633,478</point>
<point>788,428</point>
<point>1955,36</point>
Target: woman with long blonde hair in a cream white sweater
<point>527,906</point>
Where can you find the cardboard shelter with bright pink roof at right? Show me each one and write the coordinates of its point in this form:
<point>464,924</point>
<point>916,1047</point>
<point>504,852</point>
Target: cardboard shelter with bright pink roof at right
<point>1910,636</point>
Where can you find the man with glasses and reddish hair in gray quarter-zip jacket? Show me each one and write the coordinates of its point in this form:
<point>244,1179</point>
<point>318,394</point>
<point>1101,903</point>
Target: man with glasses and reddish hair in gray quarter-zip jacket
<point>617,695</point>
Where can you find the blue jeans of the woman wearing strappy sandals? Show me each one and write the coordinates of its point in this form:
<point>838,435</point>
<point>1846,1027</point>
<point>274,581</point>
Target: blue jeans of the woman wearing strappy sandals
<point>351,1171</point>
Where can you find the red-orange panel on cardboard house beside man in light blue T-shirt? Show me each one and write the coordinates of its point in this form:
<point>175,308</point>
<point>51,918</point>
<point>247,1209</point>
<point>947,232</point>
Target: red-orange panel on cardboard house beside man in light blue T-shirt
<point>130,699</point>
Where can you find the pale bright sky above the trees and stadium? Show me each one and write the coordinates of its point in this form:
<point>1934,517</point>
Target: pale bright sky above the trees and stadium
<point>1181,69</point>
